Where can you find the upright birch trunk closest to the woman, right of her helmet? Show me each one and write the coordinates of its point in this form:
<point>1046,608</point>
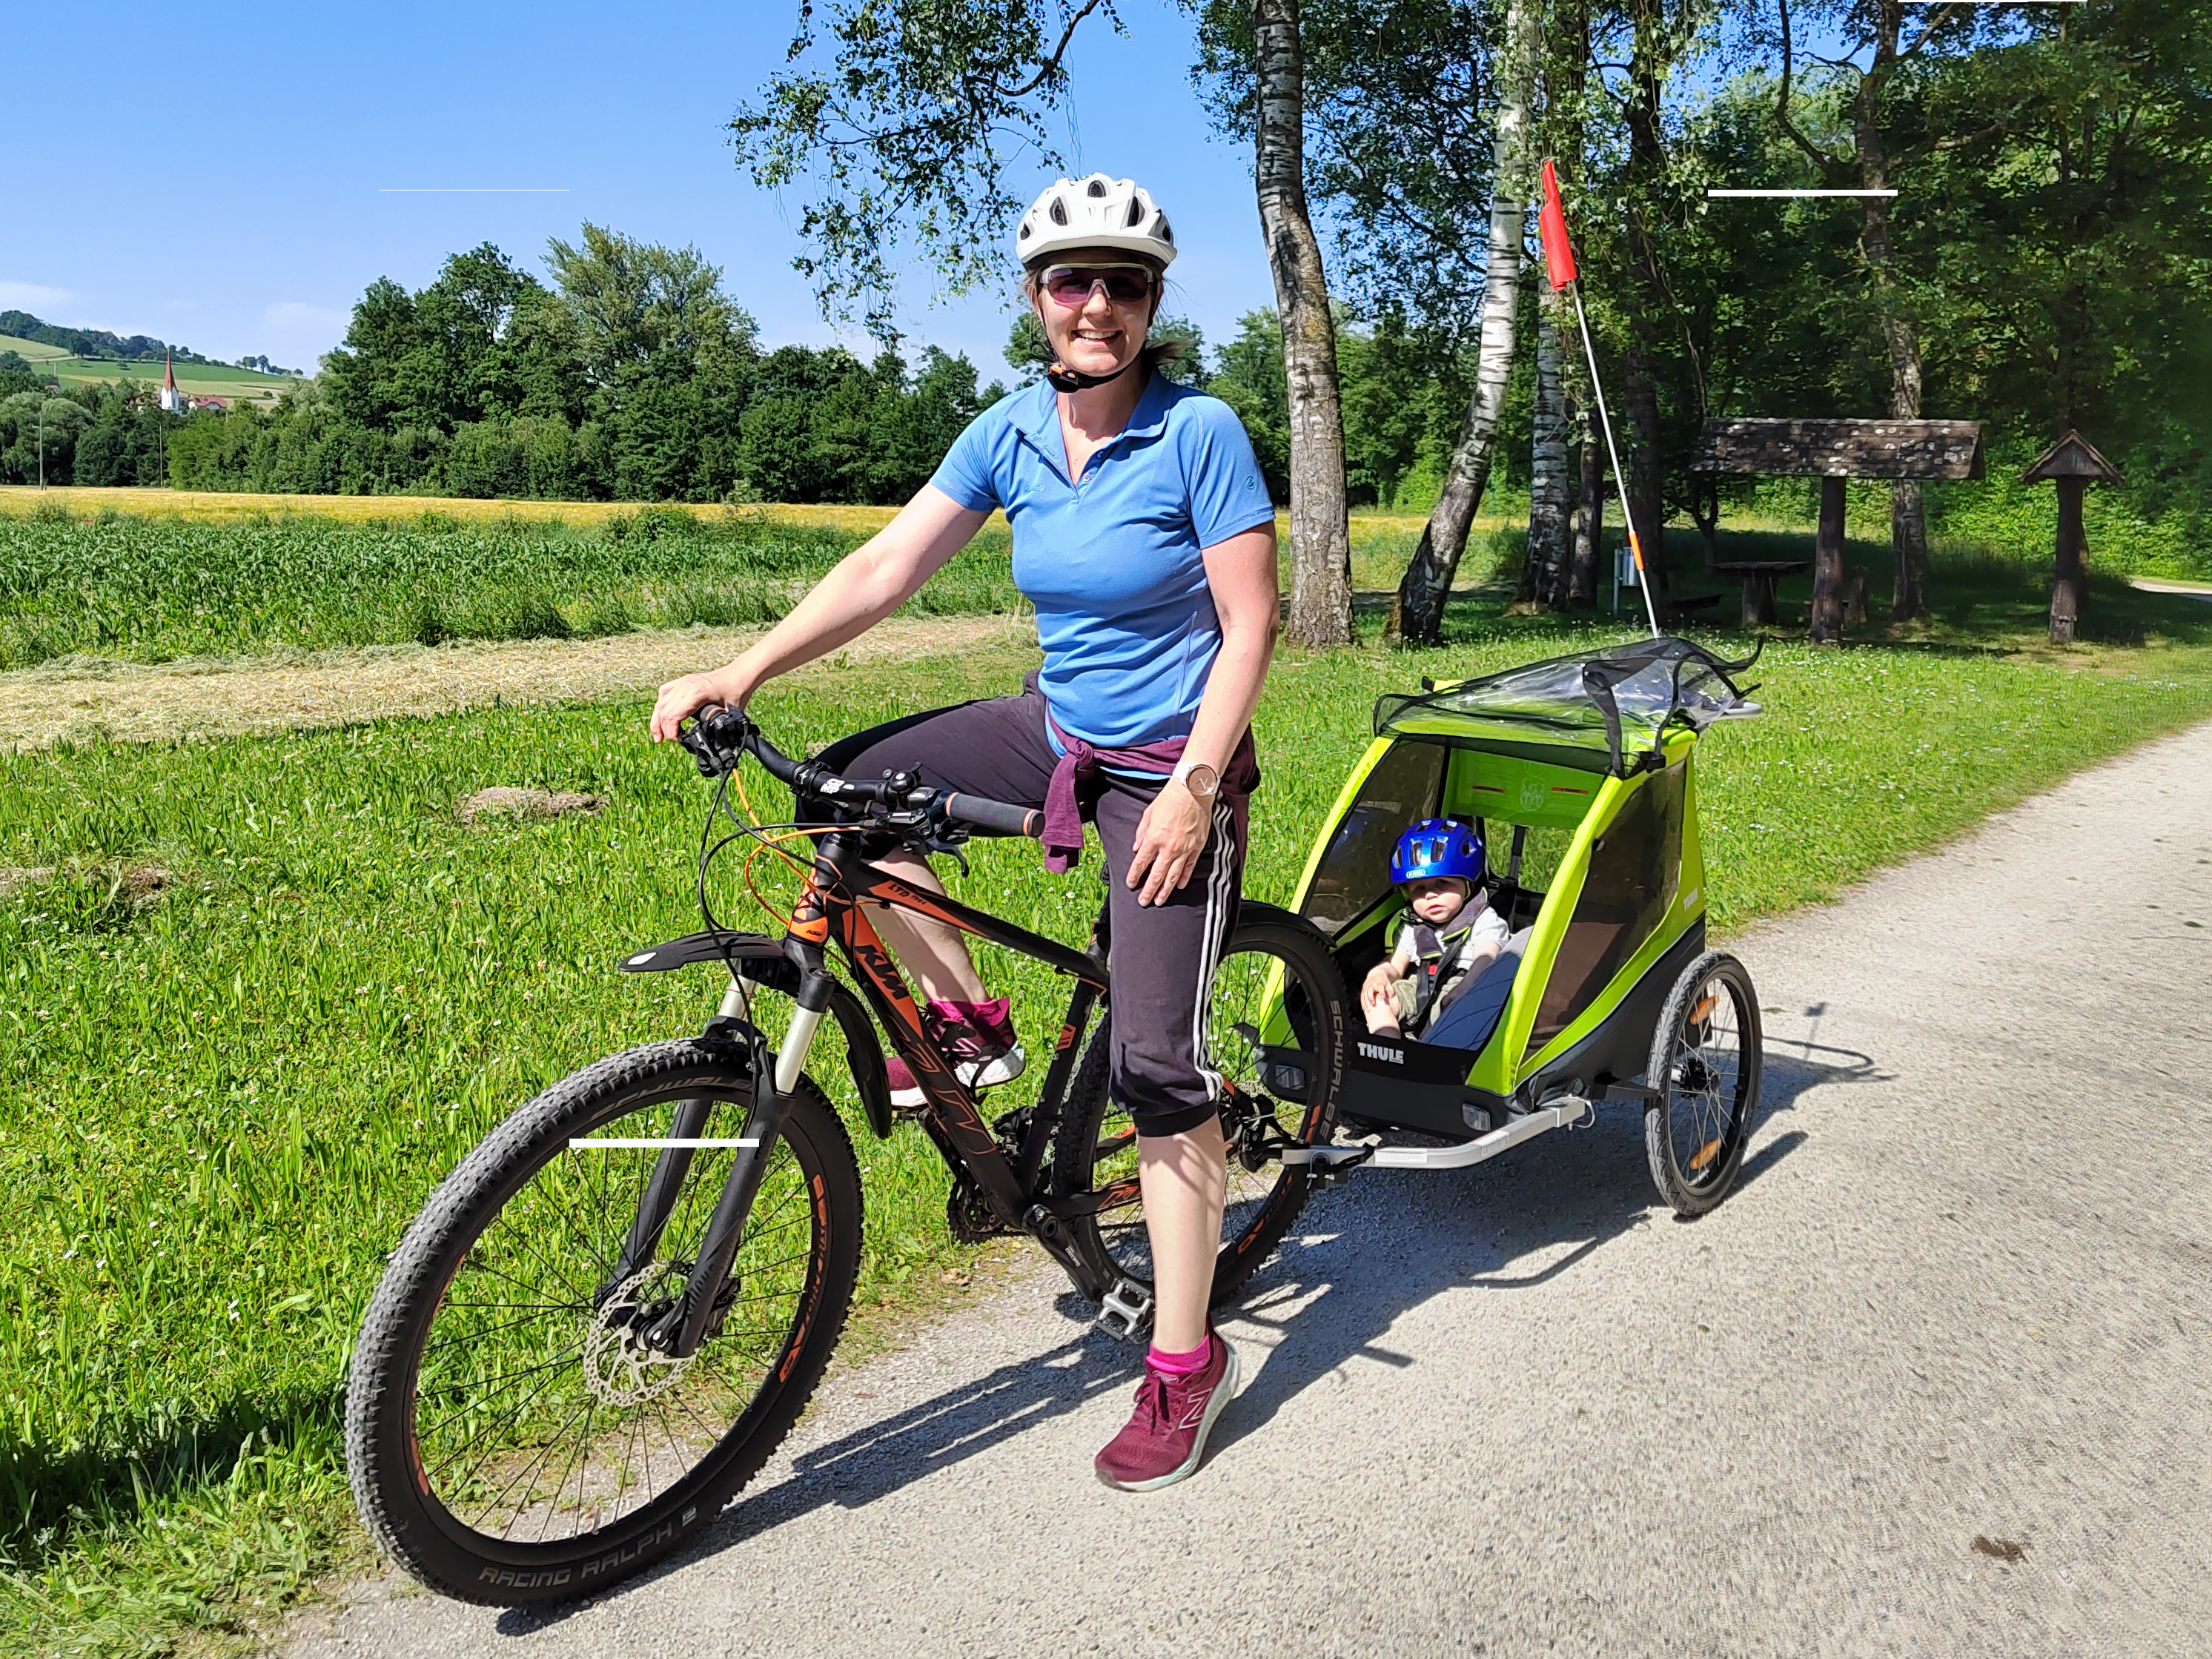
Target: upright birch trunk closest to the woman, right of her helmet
<point>1319,534</point>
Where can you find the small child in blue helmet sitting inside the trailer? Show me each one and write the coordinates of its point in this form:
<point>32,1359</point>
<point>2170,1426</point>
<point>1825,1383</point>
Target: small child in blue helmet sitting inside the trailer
<point>1450,932</point>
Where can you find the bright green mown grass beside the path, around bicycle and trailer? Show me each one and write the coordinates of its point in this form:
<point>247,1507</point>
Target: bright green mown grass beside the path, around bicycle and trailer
<point>222,1100</point>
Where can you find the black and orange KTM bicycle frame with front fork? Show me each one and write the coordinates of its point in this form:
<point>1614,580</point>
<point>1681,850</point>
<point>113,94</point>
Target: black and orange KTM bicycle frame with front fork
<point>831,910</point>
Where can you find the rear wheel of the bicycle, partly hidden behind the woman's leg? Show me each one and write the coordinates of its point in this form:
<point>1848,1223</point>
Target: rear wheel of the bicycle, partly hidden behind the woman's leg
<point>1096,1142</point>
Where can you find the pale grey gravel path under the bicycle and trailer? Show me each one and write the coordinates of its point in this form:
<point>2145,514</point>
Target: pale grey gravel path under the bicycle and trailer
<point>1961,1295</point>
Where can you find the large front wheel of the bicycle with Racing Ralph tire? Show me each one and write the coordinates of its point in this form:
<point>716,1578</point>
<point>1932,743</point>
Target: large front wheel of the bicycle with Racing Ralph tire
<point>417,1386</point>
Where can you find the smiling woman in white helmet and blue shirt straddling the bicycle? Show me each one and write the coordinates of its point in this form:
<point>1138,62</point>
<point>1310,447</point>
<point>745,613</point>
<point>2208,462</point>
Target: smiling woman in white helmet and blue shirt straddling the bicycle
<point>1145,536</point>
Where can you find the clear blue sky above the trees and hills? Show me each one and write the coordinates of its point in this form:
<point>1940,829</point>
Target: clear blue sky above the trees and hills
<point>213,174</point>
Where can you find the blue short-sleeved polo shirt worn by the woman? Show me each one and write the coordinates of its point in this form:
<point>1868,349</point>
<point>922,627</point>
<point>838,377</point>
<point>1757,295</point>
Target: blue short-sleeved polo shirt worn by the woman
<point>1112,559</point>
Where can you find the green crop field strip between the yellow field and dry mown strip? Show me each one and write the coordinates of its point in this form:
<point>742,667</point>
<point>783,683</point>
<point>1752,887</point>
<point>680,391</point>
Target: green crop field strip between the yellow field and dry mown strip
<point>154,589</point>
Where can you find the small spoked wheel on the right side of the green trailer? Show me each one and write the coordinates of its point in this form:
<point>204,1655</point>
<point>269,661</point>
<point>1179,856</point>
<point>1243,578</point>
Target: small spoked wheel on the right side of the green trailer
<point>1707,1054</point>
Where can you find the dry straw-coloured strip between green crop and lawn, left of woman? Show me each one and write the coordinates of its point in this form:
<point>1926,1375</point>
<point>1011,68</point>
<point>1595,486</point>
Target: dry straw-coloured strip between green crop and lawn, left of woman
<point>227,696</point>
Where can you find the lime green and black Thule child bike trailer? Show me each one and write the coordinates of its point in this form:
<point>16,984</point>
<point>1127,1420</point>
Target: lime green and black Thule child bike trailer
<point>1583,775</point>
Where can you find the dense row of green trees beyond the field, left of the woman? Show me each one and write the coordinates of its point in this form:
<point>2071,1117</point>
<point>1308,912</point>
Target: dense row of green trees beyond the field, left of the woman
<point>634,377</point>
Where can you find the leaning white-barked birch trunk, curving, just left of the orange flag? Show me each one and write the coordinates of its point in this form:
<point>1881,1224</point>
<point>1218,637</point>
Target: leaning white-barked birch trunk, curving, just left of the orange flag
<point>1419,614</point>
